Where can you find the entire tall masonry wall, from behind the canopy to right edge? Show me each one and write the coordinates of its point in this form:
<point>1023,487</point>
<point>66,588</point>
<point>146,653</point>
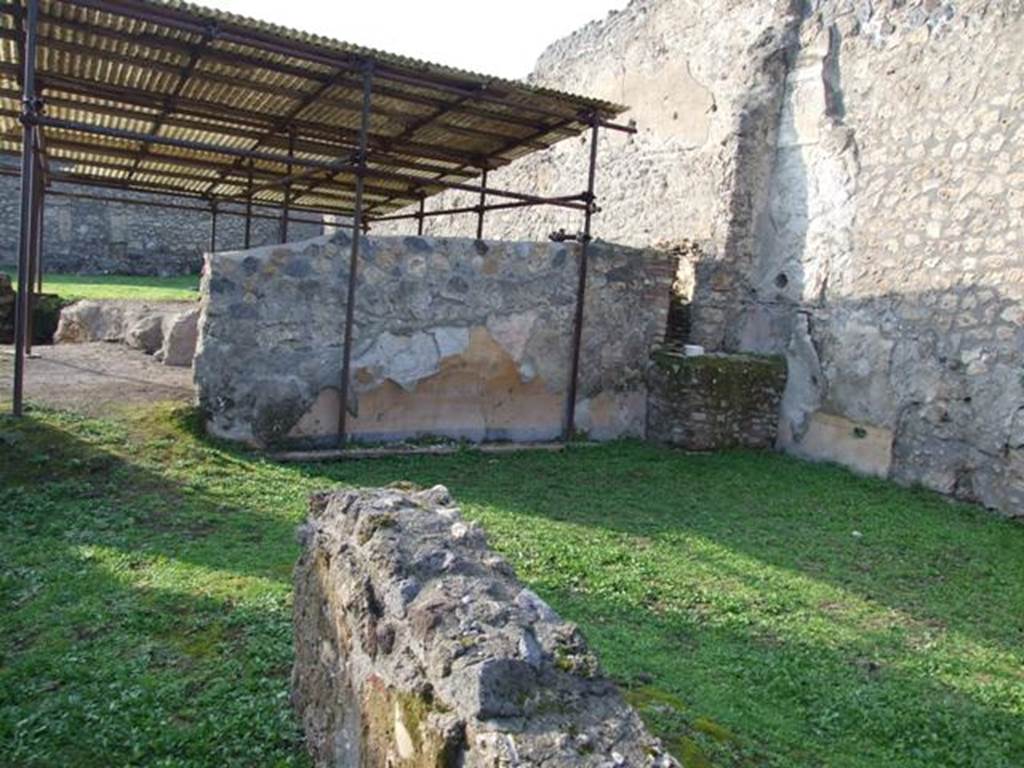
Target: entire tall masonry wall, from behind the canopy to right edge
<point>849,178</point>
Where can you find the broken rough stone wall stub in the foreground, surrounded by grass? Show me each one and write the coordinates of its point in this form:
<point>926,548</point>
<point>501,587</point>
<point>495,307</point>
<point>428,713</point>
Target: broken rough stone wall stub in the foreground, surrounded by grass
<point>416,647</point>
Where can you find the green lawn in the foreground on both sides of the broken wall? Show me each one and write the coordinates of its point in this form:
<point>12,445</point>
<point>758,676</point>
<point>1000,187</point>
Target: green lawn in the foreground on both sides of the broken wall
<point>759,611</point>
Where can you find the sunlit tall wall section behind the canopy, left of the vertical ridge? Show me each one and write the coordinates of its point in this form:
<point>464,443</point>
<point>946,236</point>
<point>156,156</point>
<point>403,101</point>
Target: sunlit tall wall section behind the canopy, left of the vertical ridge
<point>702,79</point>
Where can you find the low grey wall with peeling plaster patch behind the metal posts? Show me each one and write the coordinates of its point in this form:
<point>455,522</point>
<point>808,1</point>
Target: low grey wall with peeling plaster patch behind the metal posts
<point>453,337</point>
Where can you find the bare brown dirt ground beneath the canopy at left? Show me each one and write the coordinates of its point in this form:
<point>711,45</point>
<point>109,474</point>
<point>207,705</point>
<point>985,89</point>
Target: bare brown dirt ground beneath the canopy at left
<point>94,378</point>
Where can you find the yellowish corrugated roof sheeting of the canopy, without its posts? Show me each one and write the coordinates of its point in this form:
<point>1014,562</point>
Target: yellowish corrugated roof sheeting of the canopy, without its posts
<point>214,87</point>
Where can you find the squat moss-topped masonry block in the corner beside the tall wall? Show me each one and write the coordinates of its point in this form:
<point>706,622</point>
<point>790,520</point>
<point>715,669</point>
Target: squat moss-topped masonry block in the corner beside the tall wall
<point>715,402</point>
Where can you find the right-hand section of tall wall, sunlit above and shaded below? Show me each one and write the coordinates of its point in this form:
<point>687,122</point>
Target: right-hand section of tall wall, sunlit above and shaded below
<point>889,268</point>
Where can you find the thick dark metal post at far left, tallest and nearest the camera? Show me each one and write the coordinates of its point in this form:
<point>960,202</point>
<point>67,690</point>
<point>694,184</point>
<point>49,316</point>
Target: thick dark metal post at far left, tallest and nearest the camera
<point>30,109</point>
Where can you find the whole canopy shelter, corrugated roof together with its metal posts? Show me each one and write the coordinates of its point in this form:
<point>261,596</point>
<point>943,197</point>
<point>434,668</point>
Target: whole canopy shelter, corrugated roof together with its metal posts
<point>260,147</point>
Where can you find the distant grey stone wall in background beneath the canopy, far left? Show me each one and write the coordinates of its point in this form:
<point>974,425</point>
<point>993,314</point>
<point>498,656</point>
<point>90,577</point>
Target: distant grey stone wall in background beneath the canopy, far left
<point>89,237</point>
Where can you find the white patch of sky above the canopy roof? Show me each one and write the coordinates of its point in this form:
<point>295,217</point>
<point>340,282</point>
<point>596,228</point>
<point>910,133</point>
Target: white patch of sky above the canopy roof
<point>502,38</point>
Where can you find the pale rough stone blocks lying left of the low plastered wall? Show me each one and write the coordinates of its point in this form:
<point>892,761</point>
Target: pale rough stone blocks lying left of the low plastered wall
<point>166,330</point>
